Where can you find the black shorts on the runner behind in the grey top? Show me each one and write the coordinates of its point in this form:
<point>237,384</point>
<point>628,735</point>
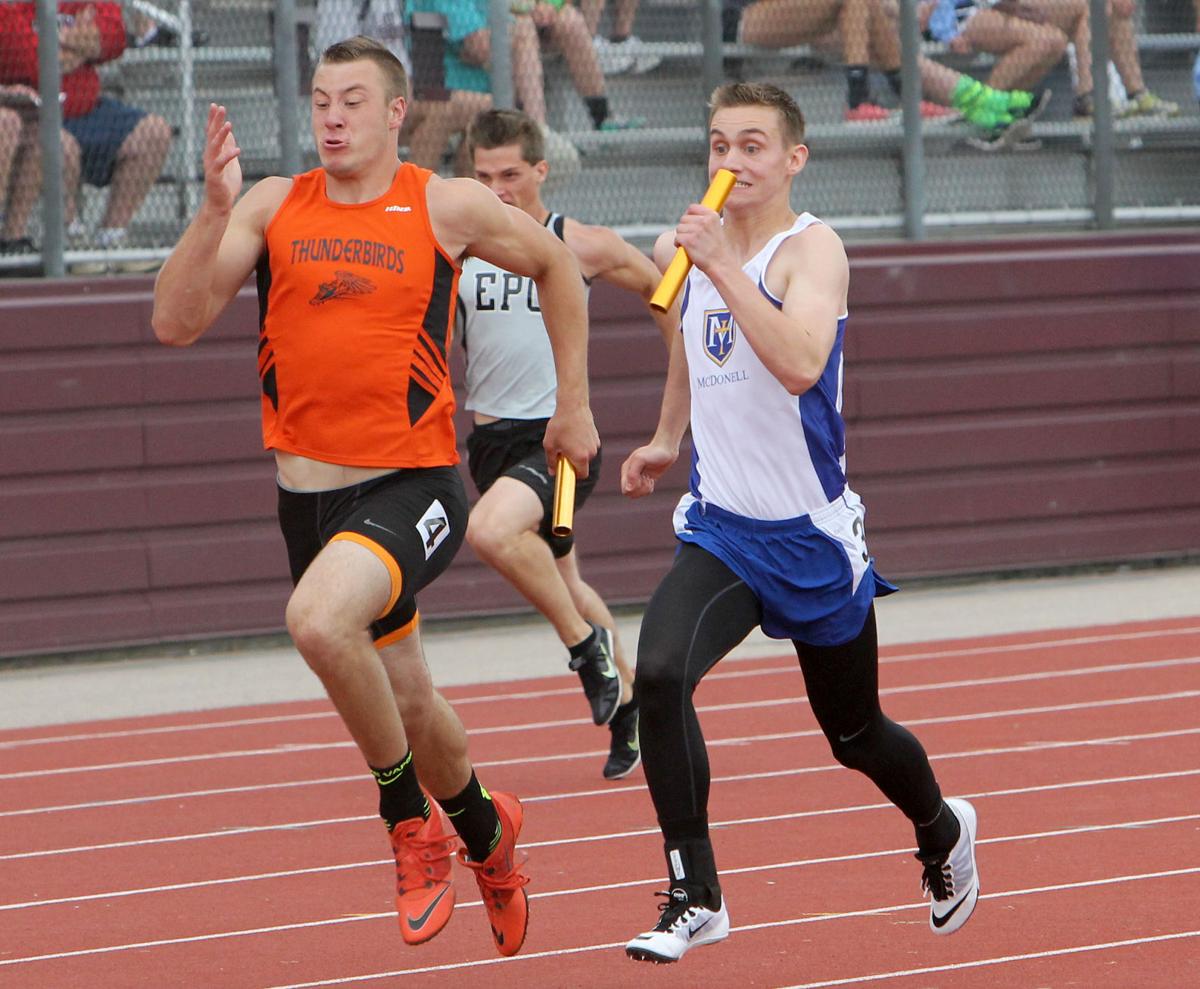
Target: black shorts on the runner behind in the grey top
<point>512,448</point>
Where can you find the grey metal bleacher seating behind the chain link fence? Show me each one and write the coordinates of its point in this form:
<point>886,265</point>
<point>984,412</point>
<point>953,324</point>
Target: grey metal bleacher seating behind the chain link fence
<point>639,179</point>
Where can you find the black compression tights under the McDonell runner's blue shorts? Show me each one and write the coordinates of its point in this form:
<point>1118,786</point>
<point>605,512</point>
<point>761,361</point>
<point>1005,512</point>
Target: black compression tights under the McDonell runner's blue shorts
<point>700,613</point>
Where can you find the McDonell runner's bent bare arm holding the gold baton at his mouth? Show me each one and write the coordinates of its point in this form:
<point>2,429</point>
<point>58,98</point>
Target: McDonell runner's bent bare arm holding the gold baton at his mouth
<point>809,273</point>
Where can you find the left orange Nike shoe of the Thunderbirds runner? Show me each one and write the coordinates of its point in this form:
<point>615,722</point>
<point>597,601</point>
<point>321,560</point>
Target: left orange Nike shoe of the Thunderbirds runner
<point>424,894</point>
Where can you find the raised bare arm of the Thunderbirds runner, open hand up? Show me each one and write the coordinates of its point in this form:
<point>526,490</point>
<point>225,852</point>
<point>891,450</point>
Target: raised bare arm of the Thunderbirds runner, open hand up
<point>220,247</point>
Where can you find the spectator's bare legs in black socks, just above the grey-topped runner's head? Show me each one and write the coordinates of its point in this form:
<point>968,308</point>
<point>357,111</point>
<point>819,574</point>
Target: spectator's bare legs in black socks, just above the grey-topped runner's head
<point>562,28</point>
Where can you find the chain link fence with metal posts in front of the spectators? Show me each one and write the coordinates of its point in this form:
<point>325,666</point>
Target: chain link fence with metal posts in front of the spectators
<point>905,137</point>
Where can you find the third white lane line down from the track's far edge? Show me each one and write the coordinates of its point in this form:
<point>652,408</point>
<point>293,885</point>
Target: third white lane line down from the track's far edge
<point>736,741</point>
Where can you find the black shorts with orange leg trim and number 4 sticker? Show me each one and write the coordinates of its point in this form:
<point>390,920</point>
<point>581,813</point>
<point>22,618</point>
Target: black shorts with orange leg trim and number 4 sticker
<point>413,520</point>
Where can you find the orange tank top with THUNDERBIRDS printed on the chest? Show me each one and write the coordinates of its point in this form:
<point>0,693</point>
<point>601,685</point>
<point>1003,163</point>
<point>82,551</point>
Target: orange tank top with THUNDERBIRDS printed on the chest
<point>356,316</point>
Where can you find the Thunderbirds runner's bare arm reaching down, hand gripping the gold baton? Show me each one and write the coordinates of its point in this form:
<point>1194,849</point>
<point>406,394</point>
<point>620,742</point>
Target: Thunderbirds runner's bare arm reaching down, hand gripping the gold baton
<point>469,220</point>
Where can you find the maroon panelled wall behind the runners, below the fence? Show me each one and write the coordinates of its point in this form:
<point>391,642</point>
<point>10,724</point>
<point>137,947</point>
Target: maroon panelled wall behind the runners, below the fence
<point>1010,405</point>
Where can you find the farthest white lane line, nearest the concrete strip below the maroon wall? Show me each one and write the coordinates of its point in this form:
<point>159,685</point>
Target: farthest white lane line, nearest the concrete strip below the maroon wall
<point>785,667</point>
